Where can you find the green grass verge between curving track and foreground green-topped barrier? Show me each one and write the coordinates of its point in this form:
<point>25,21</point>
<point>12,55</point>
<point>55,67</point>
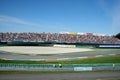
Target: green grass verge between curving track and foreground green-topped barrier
<point>105,59</point>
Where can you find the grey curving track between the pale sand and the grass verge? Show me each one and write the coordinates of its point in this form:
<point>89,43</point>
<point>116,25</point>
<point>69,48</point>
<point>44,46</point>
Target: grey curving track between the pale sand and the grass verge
<point>4,55</point>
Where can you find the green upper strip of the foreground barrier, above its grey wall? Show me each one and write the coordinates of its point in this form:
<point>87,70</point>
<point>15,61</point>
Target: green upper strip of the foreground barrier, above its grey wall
<point>63,65</point>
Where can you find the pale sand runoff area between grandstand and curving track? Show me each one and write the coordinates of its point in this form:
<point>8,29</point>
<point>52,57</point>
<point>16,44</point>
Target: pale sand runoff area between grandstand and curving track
<point>41,50</point>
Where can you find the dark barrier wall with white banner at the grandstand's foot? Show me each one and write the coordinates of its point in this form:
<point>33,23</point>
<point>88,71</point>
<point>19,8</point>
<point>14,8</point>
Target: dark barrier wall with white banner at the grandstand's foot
<point>59,44</point>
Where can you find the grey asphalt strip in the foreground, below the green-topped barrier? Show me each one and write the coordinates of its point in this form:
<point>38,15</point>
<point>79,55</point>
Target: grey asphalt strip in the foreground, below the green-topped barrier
<point>63,76</point>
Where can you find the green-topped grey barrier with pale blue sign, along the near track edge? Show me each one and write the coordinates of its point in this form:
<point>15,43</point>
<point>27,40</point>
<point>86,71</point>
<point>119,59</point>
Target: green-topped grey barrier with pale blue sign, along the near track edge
<point>59,67</point>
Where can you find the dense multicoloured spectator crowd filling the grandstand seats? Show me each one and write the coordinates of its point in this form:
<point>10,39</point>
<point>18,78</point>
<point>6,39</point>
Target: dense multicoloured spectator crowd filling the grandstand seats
<point>60,37</point>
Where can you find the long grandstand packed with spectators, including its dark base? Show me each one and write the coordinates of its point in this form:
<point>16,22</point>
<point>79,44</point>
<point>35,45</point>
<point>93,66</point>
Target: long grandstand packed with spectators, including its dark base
<point>48,39</point>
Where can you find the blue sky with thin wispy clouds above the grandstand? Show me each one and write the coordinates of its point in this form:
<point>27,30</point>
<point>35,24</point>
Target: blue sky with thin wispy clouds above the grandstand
<point>96,16</point>
